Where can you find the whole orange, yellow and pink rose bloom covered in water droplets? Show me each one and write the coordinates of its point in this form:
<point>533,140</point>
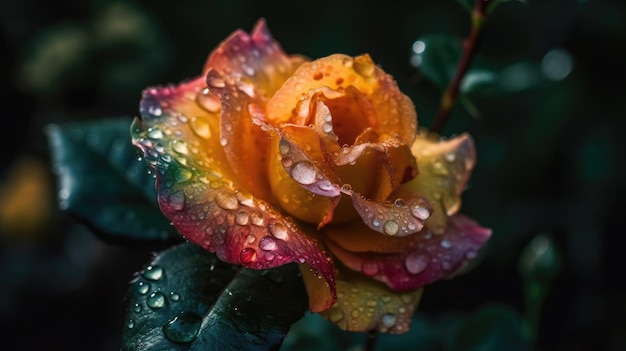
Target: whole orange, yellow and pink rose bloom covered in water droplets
<point>268,159</point>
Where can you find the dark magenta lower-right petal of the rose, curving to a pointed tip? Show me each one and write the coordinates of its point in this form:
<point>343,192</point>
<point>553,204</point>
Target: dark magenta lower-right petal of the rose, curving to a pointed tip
<point>424,260</point>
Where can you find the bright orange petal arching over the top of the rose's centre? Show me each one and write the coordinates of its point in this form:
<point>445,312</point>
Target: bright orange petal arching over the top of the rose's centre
<point>394,111</point>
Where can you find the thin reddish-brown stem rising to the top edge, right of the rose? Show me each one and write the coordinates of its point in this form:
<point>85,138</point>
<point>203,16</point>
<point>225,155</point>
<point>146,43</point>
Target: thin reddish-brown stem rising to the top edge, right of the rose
<point>470,46</point>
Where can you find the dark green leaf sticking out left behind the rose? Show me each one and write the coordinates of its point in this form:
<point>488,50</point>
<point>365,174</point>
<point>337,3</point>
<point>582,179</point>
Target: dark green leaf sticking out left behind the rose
<point>102,183</point>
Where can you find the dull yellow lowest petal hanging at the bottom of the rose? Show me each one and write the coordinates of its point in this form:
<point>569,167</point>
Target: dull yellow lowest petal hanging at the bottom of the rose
<point>365,305</point>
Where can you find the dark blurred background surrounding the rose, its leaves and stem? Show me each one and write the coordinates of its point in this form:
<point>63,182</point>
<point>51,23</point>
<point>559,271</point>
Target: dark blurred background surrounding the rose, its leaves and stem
<point>547,135</point>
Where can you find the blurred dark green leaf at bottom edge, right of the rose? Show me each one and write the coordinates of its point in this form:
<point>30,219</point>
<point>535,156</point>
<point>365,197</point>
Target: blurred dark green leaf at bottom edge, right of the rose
<point>494,327</point>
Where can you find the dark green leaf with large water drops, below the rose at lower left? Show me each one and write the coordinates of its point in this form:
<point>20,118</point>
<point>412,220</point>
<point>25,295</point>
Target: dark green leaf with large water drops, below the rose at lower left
<point>187,299</point>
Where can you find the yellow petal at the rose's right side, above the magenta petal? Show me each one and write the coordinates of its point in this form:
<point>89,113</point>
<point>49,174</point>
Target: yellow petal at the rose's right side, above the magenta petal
<point>444,169</point>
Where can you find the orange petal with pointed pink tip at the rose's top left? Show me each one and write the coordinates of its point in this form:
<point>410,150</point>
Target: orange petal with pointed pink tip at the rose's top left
<point>247,69</point>
